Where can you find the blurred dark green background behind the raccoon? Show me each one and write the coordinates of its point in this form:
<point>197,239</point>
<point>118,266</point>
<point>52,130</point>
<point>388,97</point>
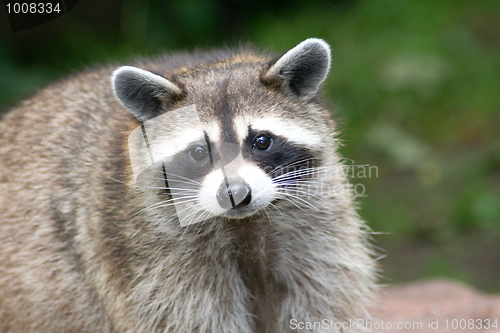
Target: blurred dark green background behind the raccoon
<point>415,86</point>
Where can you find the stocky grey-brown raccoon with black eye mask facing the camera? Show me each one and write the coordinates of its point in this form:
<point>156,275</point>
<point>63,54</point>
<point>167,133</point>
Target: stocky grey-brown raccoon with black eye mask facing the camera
<point>196,192</point>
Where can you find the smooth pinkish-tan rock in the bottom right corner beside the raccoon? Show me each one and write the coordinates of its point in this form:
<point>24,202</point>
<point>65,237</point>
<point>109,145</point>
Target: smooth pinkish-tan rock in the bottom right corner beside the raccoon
<point>436,306</point>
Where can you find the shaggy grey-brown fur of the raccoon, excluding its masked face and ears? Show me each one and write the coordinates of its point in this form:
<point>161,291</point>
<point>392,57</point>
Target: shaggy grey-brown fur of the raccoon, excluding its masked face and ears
<point>84,250</point>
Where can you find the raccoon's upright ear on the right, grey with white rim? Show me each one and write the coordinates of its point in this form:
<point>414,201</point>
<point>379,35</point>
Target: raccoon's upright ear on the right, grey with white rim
<point>302,69</point>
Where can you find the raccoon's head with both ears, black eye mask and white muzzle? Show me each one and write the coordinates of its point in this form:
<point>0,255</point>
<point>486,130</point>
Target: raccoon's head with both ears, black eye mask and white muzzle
<point>232,137</point>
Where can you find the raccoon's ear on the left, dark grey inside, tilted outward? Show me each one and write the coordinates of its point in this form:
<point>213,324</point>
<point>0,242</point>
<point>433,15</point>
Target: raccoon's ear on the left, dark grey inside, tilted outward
<point>142,92</point>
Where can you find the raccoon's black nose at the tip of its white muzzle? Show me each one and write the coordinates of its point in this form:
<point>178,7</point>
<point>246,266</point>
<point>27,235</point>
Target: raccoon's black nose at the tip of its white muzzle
<point>234,194</point>
